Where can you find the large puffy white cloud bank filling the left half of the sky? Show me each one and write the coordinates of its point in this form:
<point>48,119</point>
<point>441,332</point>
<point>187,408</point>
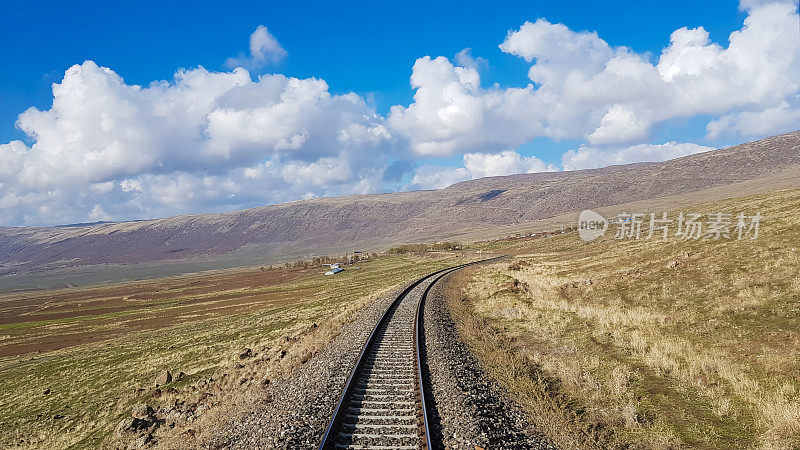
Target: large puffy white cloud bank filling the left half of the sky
<point>201,142</point>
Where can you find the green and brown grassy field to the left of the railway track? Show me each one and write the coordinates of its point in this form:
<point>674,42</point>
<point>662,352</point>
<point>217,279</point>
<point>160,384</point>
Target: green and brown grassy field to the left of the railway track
<point>116,339</point>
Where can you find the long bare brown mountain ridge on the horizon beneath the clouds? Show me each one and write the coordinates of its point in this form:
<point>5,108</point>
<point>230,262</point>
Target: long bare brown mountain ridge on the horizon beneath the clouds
<point>336,224</point>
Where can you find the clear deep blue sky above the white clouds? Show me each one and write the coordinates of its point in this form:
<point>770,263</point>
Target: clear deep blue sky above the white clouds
<point>365,49</point>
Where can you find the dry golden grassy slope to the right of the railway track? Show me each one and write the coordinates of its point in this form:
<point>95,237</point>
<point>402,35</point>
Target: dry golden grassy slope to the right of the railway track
<point>646,343</point>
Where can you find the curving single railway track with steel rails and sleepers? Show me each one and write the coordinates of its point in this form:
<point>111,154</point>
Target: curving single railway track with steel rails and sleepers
<point>383,403</point>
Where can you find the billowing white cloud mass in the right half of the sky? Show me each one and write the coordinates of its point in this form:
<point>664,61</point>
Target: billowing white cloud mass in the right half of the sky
<point>583,88</point>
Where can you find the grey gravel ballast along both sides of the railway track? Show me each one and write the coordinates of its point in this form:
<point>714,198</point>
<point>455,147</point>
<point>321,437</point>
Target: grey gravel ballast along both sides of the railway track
<point>468,409</point>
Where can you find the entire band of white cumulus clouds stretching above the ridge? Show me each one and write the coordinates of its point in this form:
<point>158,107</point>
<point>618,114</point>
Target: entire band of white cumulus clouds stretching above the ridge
<point>210,141</point>
